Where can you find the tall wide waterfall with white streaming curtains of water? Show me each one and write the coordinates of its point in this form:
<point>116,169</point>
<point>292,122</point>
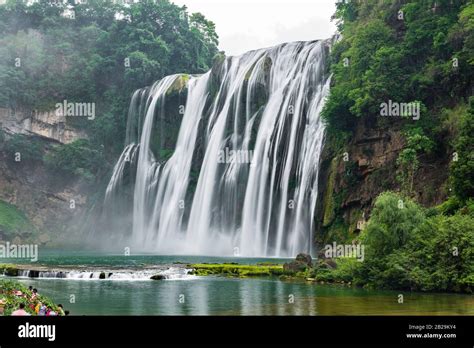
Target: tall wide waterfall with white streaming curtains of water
<point>241,178</point>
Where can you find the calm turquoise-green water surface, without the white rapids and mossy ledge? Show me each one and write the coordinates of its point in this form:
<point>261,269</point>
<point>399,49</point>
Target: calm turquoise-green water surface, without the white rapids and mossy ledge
<point>223,296</point>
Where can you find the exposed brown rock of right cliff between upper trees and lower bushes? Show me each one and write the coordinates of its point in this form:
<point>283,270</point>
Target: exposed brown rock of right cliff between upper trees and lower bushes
<point>350,179</point>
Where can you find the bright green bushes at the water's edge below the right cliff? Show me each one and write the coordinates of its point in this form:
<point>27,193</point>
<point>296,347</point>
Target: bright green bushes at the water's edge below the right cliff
<point>408,247</point>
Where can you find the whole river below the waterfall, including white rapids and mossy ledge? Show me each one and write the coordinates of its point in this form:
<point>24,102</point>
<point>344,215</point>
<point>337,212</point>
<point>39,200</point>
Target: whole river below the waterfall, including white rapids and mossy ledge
<point>229,288</point>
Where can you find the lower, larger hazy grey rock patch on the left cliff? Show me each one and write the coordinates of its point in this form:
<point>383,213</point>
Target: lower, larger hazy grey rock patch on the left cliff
<point>51,202</point>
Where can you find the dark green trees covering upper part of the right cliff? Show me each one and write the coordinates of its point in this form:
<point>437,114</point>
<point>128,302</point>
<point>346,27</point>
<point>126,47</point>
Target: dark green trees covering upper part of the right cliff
<point>408,52</point>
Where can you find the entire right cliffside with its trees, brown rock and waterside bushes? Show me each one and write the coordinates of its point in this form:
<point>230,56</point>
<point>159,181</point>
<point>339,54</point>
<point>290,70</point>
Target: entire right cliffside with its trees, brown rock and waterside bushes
<point>414,53</point>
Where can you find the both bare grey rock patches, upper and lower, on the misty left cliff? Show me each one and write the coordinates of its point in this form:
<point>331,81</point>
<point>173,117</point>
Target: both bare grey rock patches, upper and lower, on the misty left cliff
<point>51,202</point>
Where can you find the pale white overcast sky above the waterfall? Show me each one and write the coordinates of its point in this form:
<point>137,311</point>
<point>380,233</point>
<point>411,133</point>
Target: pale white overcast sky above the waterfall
<point>244,25</point>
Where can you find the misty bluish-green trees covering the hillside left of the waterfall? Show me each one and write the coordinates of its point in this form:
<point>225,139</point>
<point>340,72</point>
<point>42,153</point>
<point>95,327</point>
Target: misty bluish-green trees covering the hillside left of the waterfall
<point>95,52</point>
